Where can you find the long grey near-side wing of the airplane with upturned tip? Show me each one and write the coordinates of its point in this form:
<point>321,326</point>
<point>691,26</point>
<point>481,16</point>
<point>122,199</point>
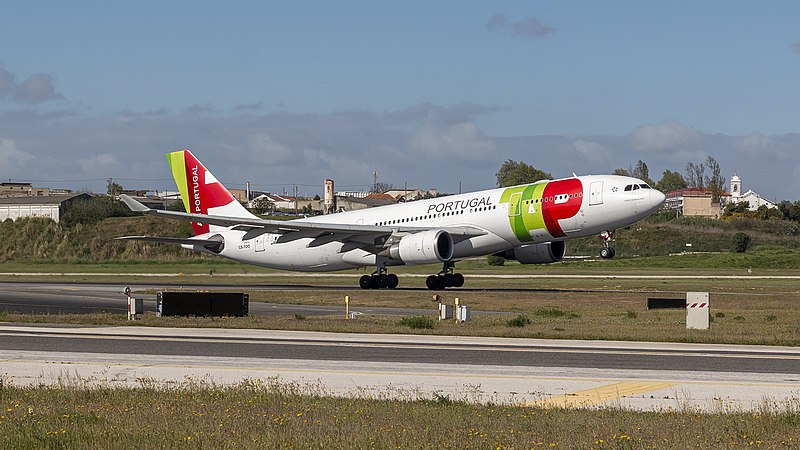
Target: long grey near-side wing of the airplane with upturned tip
<point>361,236</point>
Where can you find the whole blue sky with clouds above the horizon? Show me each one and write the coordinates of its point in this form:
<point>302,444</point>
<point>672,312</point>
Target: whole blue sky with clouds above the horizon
<point>426,94</point>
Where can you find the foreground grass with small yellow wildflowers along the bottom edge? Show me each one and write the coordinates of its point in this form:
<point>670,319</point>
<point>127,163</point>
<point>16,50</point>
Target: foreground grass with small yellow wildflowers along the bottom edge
<point>271,414</point>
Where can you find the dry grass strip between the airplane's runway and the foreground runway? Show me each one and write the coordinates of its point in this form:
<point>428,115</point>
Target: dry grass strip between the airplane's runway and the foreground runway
<point>765,318</point>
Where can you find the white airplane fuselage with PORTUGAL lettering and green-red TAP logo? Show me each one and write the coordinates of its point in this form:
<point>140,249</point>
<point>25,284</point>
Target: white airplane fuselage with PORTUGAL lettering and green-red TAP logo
<point>598,203</point>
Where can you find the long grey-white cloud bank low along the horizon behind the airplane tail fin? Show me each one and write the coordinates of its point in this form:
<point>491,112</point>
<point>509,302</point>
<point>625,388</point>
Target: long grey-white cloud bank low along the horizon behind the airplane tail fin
<point>425,145</point>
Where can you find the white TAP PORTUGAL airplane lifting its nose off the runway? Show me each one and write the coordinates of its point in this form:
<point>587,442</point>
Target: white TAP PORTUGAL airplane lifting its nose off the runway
<point>528,223</point>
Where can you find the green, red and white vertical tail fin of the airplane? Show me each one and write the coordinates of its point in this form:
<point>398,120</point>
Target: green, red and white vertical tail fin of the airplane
<point>201,192</point>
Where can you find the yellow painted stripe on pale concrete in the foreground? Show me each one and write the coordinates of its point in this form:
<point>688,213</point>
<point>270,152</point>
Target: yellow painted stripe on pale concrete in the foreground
<point>596,396</point>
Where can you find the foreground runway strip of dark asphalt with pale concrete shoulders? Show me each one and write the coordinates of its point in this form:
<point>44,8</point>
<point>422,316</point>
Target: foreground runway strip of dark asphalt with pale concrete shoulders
<point>644,376</point>
